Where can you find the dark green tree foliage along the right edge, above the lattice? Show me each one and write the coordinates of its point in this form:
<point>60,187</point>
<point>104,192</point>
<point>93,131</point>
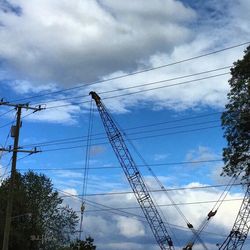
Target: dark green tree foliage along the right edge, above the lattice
<point>236,121</point>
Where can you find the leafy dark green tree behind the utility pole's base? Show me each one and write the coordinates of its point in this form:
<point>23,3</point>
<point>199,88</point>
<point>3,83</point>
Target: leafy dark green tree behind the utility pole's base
<point>40,220</point>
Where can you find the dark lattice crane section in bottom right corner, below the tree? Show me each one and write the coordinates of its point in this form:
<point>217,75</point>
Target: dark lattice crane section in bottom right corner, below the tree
<point>237,236</point>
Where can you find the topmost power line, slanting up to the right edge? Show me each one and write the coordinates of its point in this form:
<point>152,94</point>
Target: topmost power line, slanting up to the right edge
<point>136,72</point>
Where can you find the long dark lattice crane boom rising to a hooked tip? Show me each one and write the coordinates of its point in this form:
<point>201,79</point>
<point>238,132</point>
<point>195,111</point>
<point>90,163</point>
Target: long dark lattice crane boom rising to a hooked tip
<point>134,177</point>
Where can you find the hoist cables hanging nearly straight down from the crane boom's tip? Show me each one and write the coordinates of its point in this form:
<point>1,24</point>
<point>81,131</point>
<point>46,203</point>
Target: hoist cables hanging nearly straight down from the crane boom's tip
<point>86,166</point>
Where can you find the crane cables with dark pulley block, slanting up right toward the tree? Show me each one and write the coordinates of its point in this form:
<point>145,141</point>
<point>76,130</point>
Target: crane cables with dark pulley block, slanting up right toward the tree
<point>212,212</point>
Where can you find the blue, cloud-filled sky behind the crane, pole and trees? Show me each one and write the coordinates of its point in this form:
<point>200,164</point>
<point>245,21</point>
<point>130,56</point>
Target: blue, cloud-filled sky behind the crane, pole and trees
<point>162,70</point>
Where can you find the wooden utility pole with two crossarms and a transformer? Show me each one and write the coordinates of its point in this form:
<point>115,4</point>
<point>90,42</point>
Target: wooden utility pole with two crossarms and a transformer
<point>15,134</point>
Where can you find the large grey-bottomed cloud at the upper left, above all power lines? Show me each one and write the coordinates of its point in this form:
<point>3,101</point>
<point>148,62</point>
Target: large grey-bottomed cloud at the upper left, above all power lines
<point>84,40</point>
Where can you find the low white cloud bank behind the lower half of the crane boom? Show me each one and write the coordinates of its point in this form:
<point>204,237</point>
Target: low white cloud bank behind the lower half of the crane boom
<point>109,229</point>
